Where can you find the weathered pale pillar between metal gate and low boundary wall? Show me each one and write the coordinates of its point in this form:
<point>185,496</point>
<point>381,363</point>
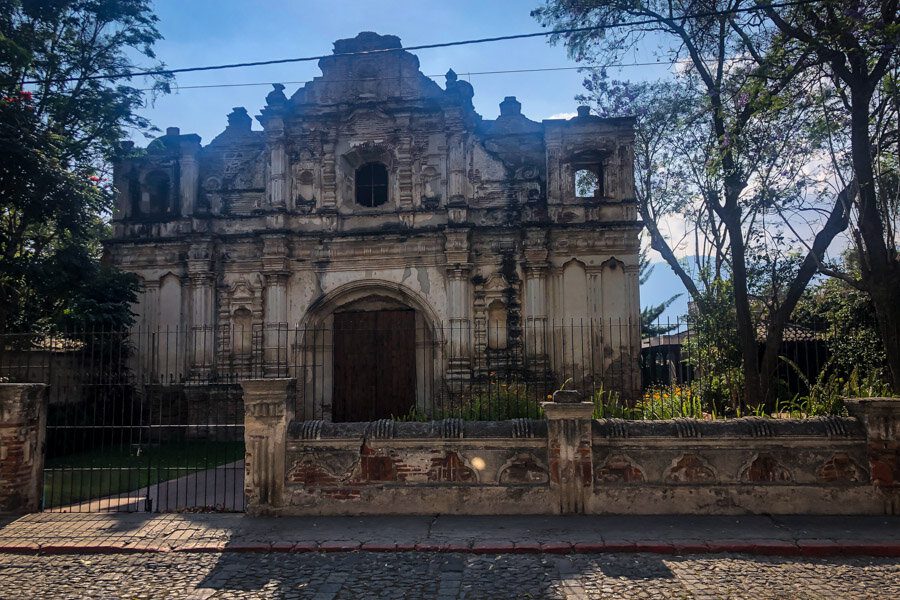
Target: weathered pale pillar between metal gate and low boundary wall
<point>268,408</point>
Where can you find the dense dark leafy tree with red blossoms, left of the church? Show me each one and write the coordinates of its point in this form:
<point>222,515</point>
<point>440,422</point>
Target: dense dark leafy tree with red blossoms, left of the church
<point>64,107</point>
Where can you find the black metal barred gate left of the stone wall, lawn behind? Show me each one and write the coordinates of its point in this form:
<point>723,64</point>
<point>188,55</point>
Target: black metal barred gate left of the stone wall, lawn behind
<point>126,436</point>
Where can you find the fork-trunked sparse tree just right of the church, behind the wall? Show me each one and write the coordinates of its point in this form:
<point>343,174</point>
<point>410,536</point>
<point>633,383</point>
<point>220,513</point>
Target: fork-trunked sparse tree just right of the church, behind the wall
<point>749,132</point>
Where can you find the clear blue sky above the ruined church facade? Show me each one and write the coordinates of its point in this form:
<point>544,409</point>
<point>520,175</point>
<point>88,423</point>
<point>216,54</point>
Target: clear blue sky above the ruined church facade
<point>204,32</point>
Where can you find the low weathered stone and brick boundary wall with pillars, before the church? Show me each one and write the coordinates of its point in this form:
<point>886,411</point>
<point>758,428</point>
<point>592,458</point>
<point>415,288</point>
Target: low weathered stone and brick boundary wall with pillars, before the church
<point>570,463</point>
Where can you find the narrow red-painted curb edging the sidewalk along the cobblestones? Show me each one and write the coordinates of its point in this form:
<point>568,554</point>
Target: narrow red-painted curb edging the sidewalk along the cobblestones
<point>813,548</point>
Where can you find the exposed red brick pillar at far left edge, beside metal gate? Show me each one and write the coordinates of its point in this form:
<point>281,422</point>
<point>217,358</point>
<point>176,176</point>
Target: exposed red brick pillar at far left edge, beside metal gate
<point>23,420</point>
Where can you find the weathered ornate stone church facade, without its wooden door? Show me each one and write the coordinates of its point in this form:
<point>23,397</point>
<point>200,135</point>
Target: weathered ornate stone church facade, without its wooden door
<point>373,188</point>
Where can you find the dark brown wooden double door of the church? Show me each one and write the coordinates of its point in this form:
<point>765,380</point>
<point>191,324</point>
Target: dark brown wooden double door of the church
<point>374,364</point>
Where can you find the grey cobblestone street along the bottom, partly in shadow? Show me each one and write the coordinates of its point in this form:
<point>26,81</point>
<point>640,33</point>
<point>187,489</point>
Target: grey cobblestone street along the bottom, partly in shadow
<point>434,575</point>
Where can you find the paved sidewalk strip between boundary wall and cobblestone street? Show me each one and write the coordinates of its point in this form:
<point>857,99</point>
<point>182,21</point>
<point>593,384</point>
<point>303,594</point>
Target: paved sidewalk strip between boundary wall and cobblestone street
<point>55,533</point>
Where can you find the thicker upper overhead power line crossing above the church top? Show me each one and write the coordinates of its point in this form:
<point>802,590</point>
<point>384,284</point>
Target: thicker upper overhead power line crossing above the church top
<point>502,38</point>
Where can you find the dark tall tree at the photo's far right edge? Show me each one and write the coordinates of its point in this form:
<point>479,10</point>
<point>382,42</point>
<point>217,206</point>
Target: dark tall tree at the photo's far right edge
<point>856,49</point>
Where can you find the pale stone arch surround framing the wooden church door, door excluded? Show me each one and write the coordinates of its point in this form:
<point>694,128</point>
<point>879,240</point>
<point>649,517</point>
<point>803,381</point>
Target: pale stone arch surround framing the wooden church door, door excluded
<point>316,338</point>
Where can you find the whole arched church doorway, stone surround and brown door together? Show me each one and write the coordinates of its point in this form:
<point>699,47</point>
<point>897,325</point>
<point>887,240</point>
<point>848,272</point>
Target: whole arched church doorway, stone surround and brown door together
<point>373,353</point>
